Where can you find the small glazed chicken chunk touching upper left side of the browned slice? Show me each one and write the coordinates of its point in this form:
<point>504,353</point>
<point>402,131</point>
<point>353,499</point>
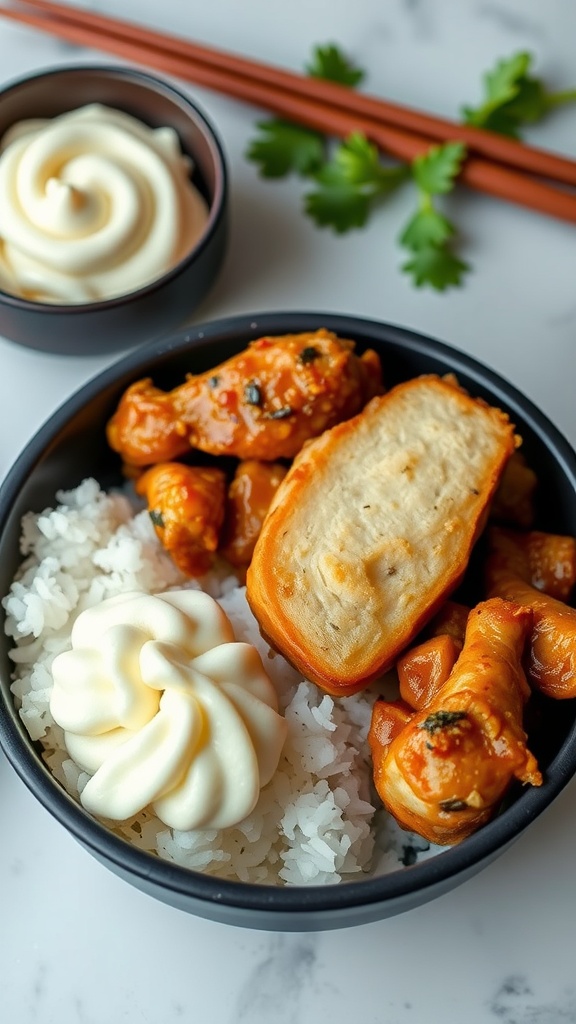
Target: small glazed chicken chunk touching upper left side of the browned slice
<point>250,498</point>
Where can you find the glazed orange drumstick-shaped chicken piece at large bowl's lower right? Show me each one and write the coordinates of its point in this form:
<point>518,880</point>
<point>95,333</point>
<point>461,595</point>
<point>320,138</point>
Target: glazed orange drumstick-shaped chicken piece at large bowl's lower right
<point>442,772</point>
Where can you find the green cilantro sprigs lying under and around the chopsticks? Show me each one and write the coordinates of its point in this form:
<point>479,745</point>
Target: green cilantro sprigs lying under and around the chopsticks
<point>350,179</point>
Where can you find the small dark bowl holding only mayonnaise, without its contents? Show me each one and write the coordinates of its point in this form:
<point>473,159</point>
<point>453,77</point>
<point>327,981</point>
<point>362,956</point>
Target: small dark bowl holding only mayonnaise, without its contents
<point>164,305</point>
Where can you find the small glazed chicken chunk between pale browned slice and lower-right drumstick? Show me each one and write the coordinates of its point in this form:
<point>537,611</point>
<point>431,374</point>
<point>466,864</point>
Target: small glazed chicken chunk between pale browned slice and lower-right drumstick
<point>427,666</point>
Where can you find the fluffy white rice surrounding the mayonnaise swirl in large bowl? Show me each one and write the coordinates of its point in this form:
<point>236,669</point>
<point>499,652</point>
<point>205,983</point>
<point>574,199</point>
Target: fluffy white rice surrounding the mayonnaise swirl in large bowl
<point>316,823</point>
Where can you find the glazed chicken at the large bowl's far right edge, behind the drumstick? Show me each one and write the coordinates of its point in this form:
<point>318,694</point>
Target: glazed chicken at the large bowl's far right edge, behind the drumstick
<point>539,571</point>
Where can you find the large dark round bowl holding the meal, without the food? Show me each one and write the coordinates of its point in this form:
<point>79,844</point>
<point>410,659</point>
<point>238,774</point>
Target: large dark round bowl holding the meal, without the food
<point>72,446</point>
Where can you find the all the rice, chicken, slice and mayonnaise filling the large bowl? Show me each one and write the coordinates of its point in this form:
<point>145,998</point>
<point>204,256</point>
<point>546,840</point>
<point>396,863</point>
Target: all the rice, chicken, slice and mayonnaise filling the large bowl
<point>271,655</point>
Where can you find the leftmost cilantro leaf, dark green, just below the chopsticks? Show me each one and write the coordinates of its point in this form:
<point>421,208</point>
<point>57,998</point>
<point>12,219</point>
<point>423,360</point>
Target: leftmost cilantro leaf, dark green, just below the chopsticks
<point>284,148</point>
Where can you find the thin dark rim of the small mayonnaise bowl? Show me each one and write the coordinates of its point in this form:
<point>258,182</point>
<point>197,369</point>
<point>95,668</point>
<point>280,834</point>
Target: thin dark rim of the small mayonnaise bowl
<point>218,206</point>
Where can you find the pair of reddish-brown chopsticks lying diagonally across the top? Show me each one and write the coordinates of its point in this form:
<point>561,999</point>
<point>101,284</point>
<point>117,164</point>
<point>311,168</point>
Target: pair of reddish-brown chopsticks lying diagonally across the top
<point>496,165</point>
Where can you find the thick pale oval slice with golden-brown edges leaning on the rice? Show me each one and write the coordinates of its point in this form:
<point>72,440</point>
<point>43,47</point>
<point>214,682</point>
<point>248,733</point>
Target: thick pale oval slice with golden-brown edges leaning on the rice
<point>374,528</point>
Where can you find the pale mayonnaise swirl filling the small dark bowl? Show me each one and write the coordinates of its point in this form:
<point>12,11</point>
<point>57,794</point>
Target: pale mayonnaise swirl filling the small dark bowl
<point>94,204</point>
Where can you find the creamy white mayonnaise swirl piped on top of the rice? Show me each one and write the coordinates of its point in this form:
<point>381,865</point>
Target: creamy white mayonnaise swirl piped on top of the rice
<point>161,707</point>
